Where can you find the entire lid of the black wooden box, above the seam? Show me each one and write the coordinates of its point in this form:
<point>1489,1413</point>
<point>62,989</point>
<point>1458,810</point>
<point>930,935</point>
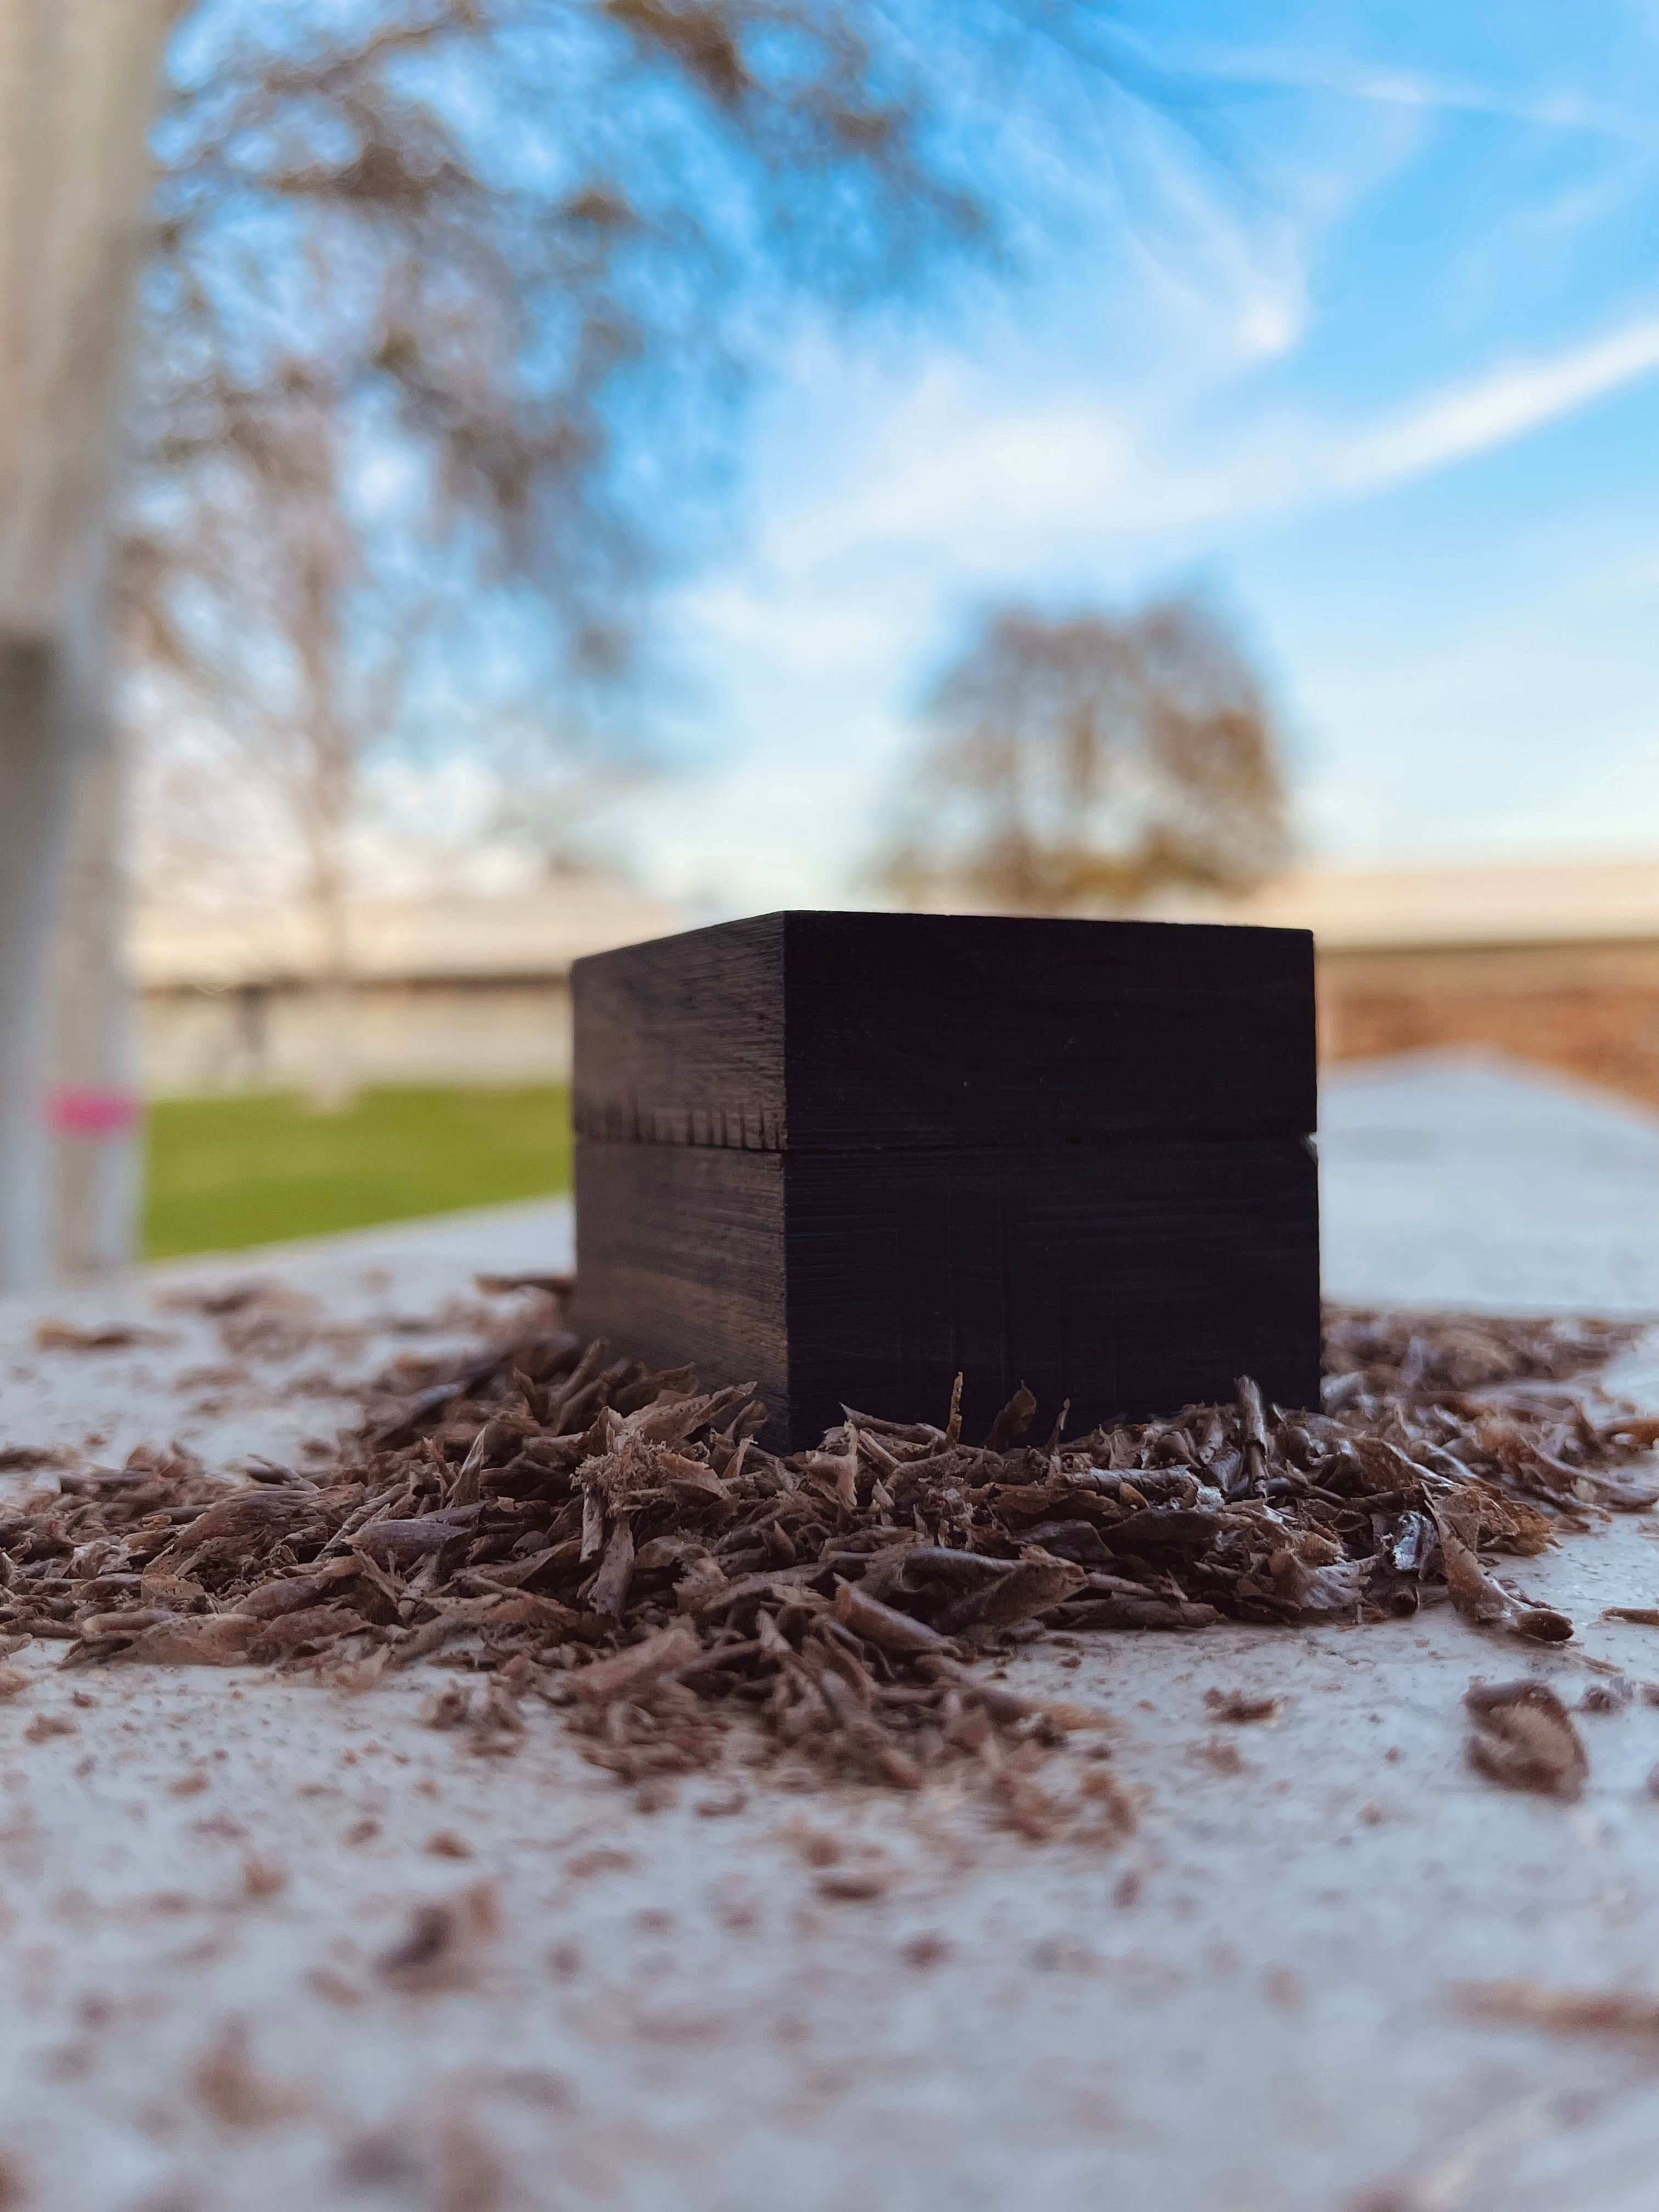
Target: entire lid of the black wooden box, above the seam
<point>912,1030</point>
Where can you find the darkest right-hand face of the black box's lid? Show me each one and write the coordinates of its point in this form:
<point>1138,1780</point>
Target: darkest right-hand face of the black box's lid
<point>919,1030</point>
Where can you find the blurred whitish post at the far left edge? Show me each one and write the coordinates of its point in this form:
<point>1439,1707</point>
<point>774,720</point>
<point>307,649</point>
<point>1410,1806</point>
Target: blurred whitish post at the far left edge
<point>76,96</point>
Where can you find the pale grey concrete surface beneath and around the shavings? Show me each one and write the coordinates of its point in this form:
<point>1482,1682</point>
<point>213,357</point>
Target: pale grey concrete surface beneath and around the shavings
<point>1244,2010</point>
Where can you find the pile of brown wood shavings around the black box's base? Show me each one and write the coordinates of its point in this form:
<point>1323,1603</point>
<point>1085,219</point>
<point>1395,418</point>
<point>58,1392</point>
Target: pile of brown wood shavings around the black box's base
<point>618,1543</point>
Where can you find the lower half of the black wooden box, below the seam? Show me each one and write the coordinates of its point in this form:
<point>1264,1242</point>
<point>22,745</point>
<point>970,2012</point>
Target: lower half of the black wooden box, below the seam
<point>1127,1280</point>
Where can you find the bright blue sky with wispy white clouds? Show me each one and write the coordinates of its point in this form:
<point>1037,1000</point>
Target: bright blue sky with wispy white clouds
<point>1366,346</point>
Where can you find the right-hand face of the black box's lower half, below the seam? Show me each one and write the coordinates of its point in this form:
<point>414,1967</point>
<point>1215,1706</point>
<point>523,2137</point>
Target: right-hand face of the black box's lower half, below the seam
<point>1127,1280</point>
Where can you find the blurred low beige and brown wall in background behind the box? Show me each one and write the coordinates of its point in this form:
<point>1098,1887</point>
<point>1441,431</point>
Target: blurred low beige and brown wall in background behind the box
<point>1558,966</point>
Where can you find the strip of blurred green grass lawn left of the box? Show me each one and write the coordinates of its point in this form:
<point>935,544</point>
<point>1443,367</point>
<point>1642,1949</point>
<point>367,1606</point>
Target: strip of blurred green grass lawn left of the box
<point>244,1171</point>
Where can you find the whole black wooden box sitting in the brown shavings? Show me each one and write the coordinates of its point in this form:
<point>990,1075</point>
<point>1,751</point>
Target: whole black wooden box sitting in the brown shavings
<point>853,1154</point>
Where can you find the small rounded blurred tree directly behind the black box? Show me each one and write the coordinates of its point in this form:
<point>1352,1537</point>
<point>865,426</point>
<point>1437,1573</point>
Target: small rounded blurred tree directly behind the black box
<point>1092,762</point>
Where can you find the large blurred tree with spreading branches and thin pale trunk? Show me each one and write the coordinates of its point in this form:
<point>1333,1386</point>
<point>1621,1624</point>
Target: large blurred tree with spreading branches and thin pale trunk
<point>444,326</point>
